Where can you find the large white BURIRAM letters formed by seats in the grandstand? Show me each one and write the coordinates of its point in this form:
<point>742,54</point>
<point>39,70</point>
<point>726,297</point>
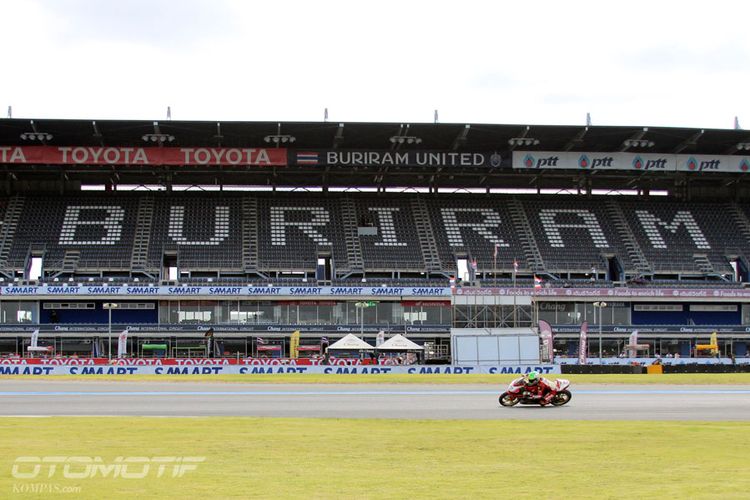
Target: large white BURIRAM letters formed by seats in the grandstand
<point>112,216</point>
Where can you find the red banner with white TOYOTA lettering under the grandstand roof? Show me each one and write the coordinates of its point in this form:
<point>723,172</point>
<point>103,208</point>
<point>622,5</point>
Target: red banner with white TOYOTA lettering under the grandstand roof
<point>50,155</point>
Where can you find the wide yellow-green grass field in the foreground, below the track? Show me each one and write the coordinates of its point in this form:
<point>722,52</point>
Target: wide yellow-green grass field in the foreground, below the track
<point>322,458</point>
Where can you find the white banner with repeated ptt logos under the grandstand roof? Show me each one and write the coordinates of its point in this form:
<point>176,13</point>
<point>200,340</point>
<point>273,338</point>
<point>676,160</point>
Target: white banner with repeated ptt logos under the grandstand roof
<point>536,160</point>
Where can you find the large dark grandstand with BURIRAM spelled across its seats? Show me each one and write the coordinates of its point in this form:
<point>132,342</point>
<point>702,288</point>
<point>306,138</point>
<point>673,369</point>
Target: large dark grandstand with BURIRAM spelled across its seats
<point>196,224</point>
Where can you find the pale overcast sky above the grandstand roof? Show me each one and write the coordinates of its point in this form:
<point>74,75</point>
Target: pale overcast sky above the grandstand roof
<point>543,62</point>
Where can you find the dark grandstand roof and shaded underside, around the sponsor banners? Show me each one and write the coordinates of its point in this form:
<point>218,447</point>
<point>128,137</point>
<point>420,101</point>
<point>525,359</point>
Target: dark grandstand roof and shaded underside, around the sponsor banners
<point>329,136</point>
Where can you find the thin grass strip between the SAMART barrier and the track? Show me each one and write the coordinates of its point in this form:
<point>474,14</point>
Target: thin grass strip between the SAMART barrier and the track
<point>290,378</point>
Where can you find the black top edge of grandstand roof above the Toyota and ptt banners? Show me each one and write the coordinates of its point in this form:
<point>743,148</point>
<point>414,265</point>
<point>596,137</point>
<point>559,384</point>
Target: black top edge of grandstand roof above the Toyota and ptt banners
<point>358,135</point>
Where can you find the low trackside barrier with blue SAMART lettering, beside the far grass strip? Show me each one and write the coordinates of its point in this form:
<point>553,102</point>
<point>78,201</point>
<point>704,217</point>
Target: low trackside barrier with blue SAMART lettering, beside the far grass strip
<point>22,369</point>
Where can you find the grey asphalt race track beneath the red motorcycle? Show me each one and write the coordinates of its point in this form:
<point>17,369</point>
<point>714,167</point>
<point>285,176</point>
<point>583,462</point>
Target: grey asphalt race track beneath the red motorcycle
<point>412,401</point>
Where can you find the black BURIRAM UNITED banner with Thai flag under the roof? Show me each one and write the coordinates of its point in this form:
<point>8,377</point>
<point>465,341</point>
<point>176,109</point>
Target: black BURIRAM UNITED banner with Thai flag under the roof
<point>389,158</point>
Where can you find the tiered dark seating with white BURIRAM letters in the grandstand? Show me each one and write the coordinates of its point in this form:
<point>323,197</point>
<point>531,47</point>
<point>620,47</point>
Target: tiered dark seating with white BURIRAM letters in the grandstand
<point>241,238</point>
